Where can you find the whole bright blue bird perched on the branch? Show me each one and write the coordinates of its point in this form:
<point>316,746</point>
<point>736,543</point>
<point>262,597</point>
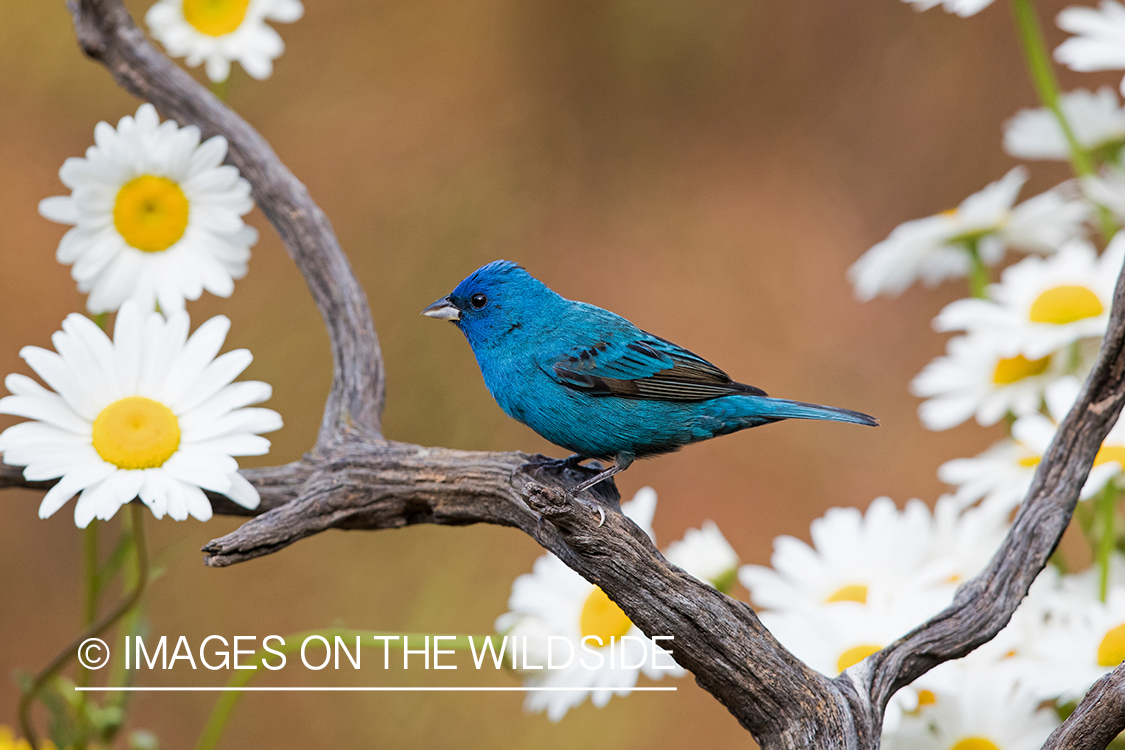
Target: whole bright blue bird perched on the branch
<point>593,383</point>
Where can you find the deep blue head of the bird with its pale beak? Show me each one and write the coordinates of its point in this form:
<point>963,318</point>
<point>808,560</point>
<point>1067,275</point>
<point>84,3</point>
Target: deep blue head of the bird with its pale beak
<point>498,305</point>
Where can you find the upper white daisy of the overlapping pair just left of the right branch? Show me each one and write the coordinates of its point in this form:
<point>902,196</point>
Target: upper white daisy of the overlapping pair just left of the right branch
<point>878,557</point>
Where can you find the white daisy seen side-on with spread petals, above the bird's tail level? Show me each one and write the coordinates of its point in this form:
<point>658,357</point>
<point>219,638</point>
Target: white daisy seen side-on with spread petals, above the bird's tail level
<point>935,248</point>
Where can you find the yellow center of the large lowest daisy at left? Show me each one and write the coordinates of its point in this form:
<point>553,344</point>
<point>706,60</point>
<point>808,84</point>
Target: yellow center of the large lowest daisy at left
<point>137,433</point>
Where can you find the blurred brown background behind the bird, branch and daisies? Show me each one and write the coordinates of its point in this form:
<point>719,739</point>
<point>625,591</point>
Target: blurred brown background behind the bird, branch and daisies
<point>707,169</point>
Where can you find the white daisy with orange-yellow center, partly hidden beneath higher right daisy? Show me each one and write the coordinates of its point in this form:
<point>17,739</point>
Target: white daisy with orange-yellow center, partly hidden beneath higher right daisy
<point>976,381</point>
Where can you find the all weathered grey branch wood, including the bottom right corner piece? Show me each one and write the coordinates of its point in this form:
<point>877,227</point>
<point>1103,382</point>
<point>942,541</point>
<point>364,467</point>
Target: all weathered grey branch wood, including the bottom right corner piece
<point>356,480</point>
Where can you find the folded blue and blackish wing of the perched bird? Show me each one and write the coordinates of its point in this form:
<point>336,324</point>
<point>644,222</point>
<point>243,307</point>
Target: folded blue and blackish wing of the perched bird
<point>643,367</point>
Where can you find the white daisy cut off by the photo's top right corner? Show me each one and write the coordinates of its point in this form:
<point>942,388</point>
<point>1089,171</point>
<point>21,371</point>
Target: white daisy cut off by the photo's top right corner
<point>1100,44</point>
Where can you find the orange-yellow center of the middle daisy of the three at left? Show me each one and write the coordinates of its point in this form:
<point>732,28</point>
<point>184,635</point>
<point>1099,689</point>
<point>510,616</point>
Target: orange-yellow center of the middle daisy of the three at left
<point>151,213</point>
